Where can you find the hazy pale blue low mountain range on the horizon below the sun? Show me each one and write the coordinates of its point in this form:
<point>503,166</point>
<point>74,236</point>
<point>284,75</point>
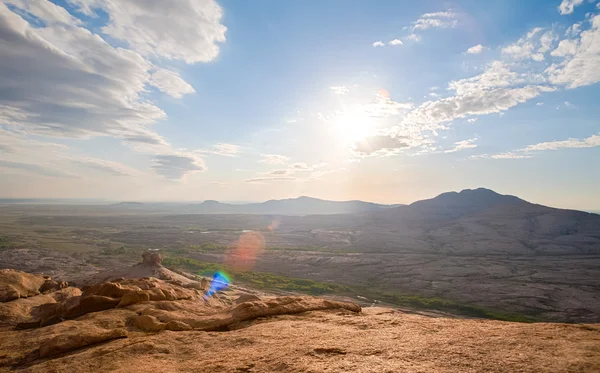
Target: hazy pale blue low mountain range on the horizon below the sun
<point>293,206</point>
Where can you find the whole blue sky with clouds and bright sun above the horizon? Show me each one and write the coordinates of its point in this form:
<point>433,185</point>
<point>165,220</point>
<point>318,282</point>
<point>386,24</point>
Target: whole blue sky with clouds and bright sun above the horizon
<point>386,101</point>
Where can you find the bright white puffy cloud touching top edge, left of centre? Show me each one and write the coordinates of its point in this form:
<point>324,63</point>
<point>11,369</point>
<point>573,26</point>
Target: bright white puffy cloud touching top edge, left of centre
<point>186,30</point>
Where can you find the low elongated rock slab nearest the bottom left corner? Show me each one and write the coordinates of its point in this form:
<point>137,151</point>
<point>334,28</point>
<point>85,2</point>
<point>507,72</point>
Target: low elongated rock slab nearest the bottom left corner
<point>80,338</point>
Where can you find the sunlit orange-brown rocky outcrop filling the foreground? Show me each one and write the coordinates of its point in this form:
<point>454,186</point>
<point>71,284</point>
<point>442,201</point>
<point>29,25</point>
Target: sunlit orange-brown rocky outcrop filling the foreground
<point>153,325</point>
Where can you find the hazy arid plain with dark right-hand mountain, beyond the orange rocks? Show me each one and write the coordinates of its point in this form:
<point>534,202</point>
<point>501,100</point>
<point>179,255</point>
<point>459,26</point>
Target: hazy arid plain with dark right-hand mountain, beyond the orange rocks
<point>475,248</point>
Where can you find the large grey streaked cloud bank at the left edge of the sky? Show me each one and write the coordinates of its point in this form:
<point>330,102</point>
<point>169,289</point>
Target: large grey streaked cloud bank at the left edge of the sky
<point>77,84</point>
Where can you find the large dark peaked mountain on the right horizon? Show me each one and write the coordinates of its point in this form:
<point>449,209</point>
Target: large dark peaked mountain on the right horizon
<point>480,220</point>
